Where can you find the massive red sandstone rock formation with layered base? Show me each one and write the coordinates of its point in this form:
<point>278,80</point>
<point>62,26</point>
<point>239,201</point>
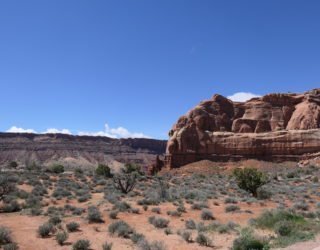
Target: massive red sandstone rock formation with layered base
<point>274,127</point>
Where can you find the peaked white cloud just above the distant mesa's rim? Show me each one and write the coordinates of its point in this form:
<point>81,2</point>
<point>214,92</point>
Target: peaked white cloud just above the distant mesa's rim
<point>119,132</point>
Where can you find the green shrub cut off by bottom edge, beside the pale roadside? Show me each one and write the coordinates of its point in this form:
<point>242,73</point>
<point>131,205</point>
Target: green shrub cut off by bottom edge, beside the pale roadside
<point>249,241</point>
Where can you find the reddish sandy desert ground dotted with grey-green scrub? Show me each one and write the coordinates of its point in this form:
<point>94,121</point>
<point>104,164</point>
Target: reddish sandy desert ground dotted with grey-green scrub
<point>198,206</point>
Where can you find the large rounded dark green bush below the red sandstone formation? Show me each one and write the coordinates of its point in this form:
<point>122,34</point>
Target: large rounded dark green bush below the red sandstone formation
<point>250,179</point>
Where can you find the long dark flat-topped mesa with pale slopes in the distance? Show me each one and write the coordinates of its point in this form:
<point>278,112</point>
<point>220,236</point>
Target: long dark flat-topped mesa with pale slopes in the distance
<point>83,151</point>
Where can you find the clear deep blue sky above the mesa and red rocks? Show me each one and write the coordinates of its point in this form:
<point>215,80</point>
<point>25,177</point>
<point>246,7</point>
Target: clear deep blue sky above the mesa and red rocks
<point>137,65</point>
